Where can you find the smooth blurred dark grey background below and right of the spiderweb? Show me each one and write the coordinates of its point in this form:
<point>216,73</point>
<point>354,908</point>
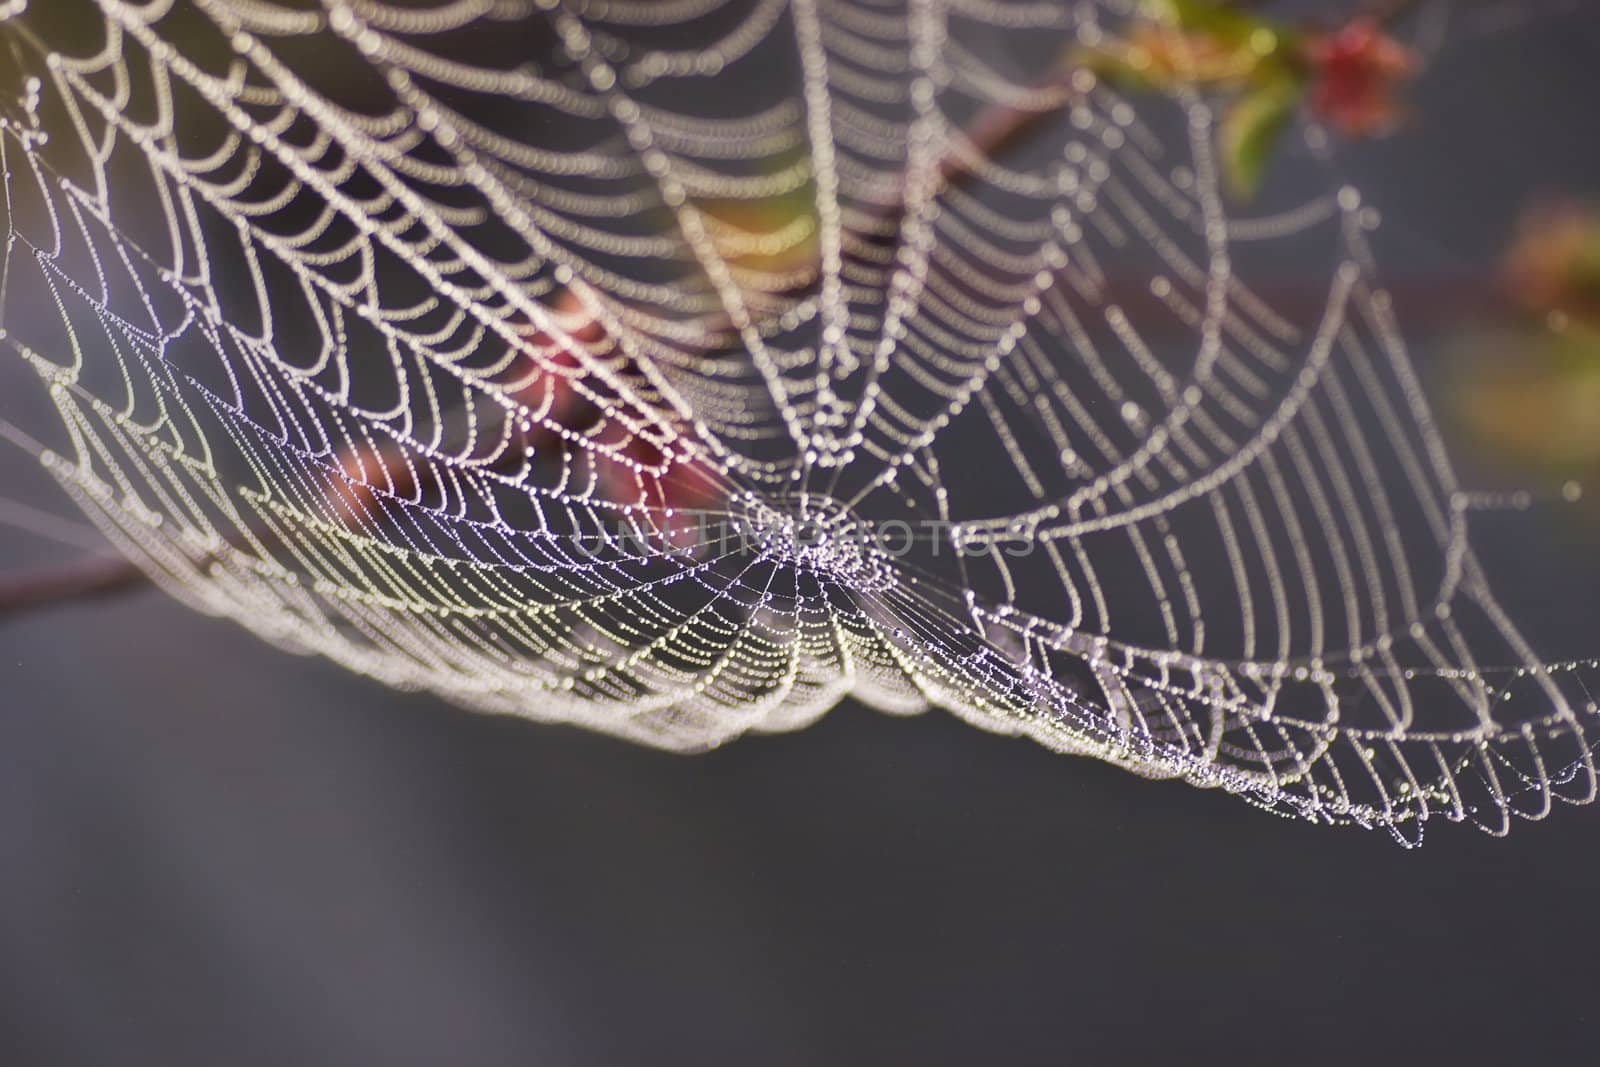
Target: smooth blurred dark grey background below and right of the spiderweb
<point>217,853</point>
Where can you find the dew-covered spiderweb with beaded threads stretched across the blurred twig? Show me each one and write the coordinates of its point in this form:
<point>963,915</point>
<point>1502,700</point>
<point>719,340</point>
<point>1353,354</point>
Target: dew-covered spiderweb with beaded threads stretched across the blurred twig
<point>428,337</point>
